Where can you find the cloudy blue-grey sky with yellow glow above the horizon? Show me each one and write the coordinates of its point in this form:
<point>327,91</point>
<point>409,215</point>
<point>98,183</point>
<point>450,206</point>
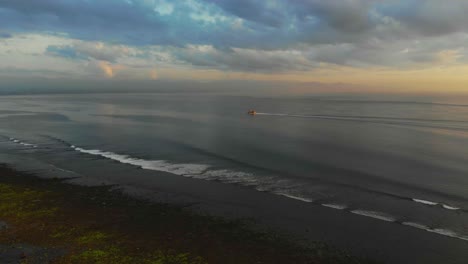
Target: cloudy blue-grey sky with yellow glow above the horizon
<point>305,45</point>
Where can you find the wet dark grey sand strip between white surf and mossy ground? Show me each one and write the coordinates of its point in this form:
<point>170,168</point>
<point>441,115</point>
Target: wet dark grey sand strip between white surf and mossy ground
<point>363,236</point>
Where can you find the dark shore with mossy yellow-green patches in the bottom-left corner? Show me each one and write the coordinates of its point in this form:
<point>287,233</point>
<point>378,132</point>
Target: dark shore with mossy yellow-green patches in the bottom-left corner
<point>66,222</point>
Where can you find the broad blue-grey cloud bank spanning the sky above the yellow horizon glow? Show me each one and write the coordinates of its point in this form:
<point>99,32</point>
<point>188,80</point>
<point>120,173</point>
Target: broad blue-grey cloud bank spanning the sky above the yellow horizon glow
<point>247,35</point>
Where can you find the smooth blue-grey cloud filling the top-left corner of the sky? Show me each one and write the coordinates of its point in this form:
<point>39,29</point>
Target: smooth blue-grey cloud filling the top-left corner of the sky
<point>124,21</point>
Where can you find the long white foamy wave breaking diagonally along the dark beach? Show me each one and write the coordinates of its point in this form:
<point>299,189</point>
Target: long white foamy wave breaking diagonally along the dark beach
<point>272,184</point>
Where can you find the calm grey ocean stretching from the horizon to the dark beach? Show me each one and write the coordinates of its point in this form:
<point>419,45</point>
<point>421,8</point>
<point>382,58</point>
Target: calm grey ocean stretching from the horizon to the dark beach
<point>400,162</point>
